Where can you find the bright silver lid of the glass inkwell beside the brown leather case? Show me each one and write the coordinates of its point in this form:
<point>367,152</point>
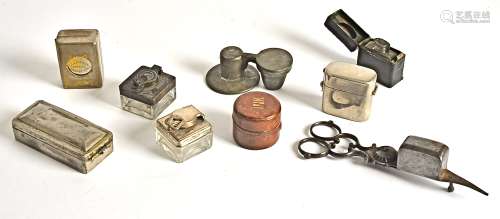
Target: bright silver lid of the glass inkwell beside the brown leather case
<point>185,124</point>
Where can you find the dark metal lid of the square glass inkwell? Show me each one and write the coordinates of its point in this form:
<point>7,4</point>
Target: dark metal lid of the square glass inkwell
<point>147,85</point>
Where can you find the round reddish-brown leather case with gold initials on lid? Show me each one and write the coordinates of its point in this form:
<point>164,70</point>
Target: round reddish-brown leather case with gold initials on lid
<point>256,120</point>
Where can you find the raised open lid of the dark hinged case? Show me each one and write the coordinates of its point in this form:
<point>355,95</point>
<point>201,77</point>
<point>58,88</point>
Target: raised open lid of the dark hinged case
<point>346,29</point>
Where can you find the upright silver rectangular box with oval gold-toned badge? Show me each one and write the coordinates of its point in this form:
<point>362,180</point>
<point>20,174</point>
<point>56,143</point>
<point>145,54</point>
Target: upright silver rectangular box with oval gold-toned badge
<point>79,55</point>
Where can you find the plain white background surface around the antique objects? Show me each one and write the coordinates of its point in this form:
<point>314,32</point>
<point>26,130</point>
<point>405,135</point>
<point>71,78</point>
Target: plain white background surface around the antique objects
<point>450,94</point>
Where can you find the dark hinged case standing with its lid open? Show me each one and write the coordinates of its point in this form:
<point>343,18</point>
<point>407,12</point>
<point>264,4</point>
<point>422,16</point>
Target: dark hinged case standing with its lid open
<point>374,53</point>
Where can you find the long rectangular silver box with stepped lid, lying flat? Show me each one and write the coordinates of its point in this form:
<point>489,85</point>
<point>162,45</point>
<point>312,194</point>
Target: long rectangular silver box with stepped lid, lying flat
<point>63,136</point>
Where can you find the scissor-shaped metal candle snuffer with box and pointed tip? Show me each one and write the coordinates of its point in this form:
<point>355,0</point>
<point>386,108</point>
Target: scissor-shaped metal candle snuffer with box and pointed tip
<point>417,155</point>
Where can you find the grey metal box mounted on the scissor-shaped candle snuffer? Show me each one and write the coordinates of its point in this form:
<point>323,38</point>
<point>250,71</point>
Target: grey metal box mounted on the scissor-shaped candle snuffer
<point>423,157</point>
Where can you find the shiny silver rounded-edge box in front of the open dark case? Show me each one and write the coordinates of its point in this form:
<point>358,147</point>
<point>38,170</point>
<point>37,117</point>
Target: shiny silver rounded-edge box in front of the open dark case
<point>348,90</point>
